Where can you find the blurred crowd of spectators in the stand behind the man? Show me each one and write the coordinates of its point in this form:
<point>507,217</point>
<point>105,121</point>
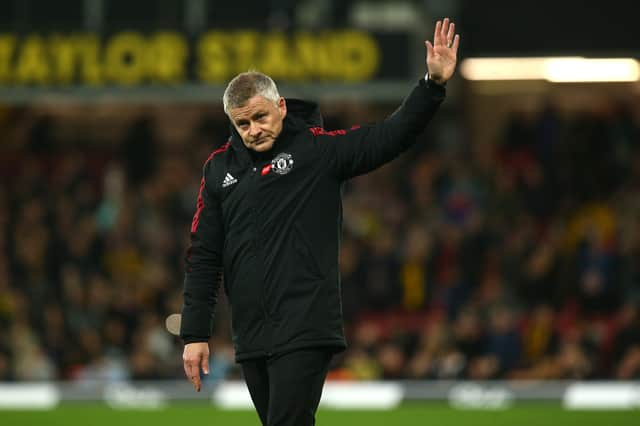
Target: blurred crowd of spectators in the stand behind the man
<point>515,259</point>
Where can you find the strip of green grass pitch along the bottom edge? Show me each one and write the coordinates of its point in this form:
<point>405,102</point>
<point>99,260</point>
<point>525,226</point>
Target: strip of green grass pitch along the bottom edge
<point>92,414</point>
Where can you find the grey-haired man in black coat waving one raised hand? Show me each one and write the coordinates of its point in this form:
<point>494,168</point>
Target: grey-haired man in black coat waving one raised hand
<point>268,219</point>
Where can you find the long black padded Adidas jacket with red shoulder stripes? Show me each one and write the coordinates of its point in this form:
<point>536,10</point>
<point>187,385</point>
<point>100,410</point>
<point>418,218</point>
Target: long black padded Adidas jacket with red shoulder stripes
<point>271,226</point>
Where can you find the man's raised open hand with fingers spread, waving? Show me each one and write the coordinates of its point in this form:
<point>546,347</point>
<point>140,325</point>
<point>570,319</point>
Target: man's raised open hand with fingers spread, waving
<point>442,55</point>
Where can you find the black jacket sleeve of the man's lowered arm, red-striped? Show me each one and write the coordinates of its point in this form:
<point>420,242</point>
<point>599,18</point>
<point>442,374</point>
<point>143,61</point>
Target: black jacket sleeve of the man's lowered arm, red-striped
<point>203,266</point>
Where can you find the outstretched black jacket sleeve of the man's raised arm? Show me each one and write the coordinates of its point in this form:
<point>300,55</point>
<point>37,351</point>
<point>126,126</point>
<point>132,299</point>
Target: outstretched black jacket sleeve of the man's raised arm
<point>362,149</point>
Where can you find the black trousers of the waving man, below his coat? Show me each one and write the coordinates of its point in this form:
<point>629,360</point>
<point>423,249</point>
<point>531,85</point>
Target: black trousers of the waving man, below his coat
<point>286,388</point>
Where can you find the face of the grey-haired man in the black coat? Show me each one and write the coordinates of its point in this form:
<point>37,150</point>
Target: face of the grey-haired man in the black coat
<point>259,122</point>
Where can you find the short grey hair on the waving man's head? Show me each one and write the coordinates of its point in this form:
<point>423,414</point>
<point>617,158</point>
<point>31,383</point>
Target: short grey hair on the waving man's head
<point>245,86</point>
